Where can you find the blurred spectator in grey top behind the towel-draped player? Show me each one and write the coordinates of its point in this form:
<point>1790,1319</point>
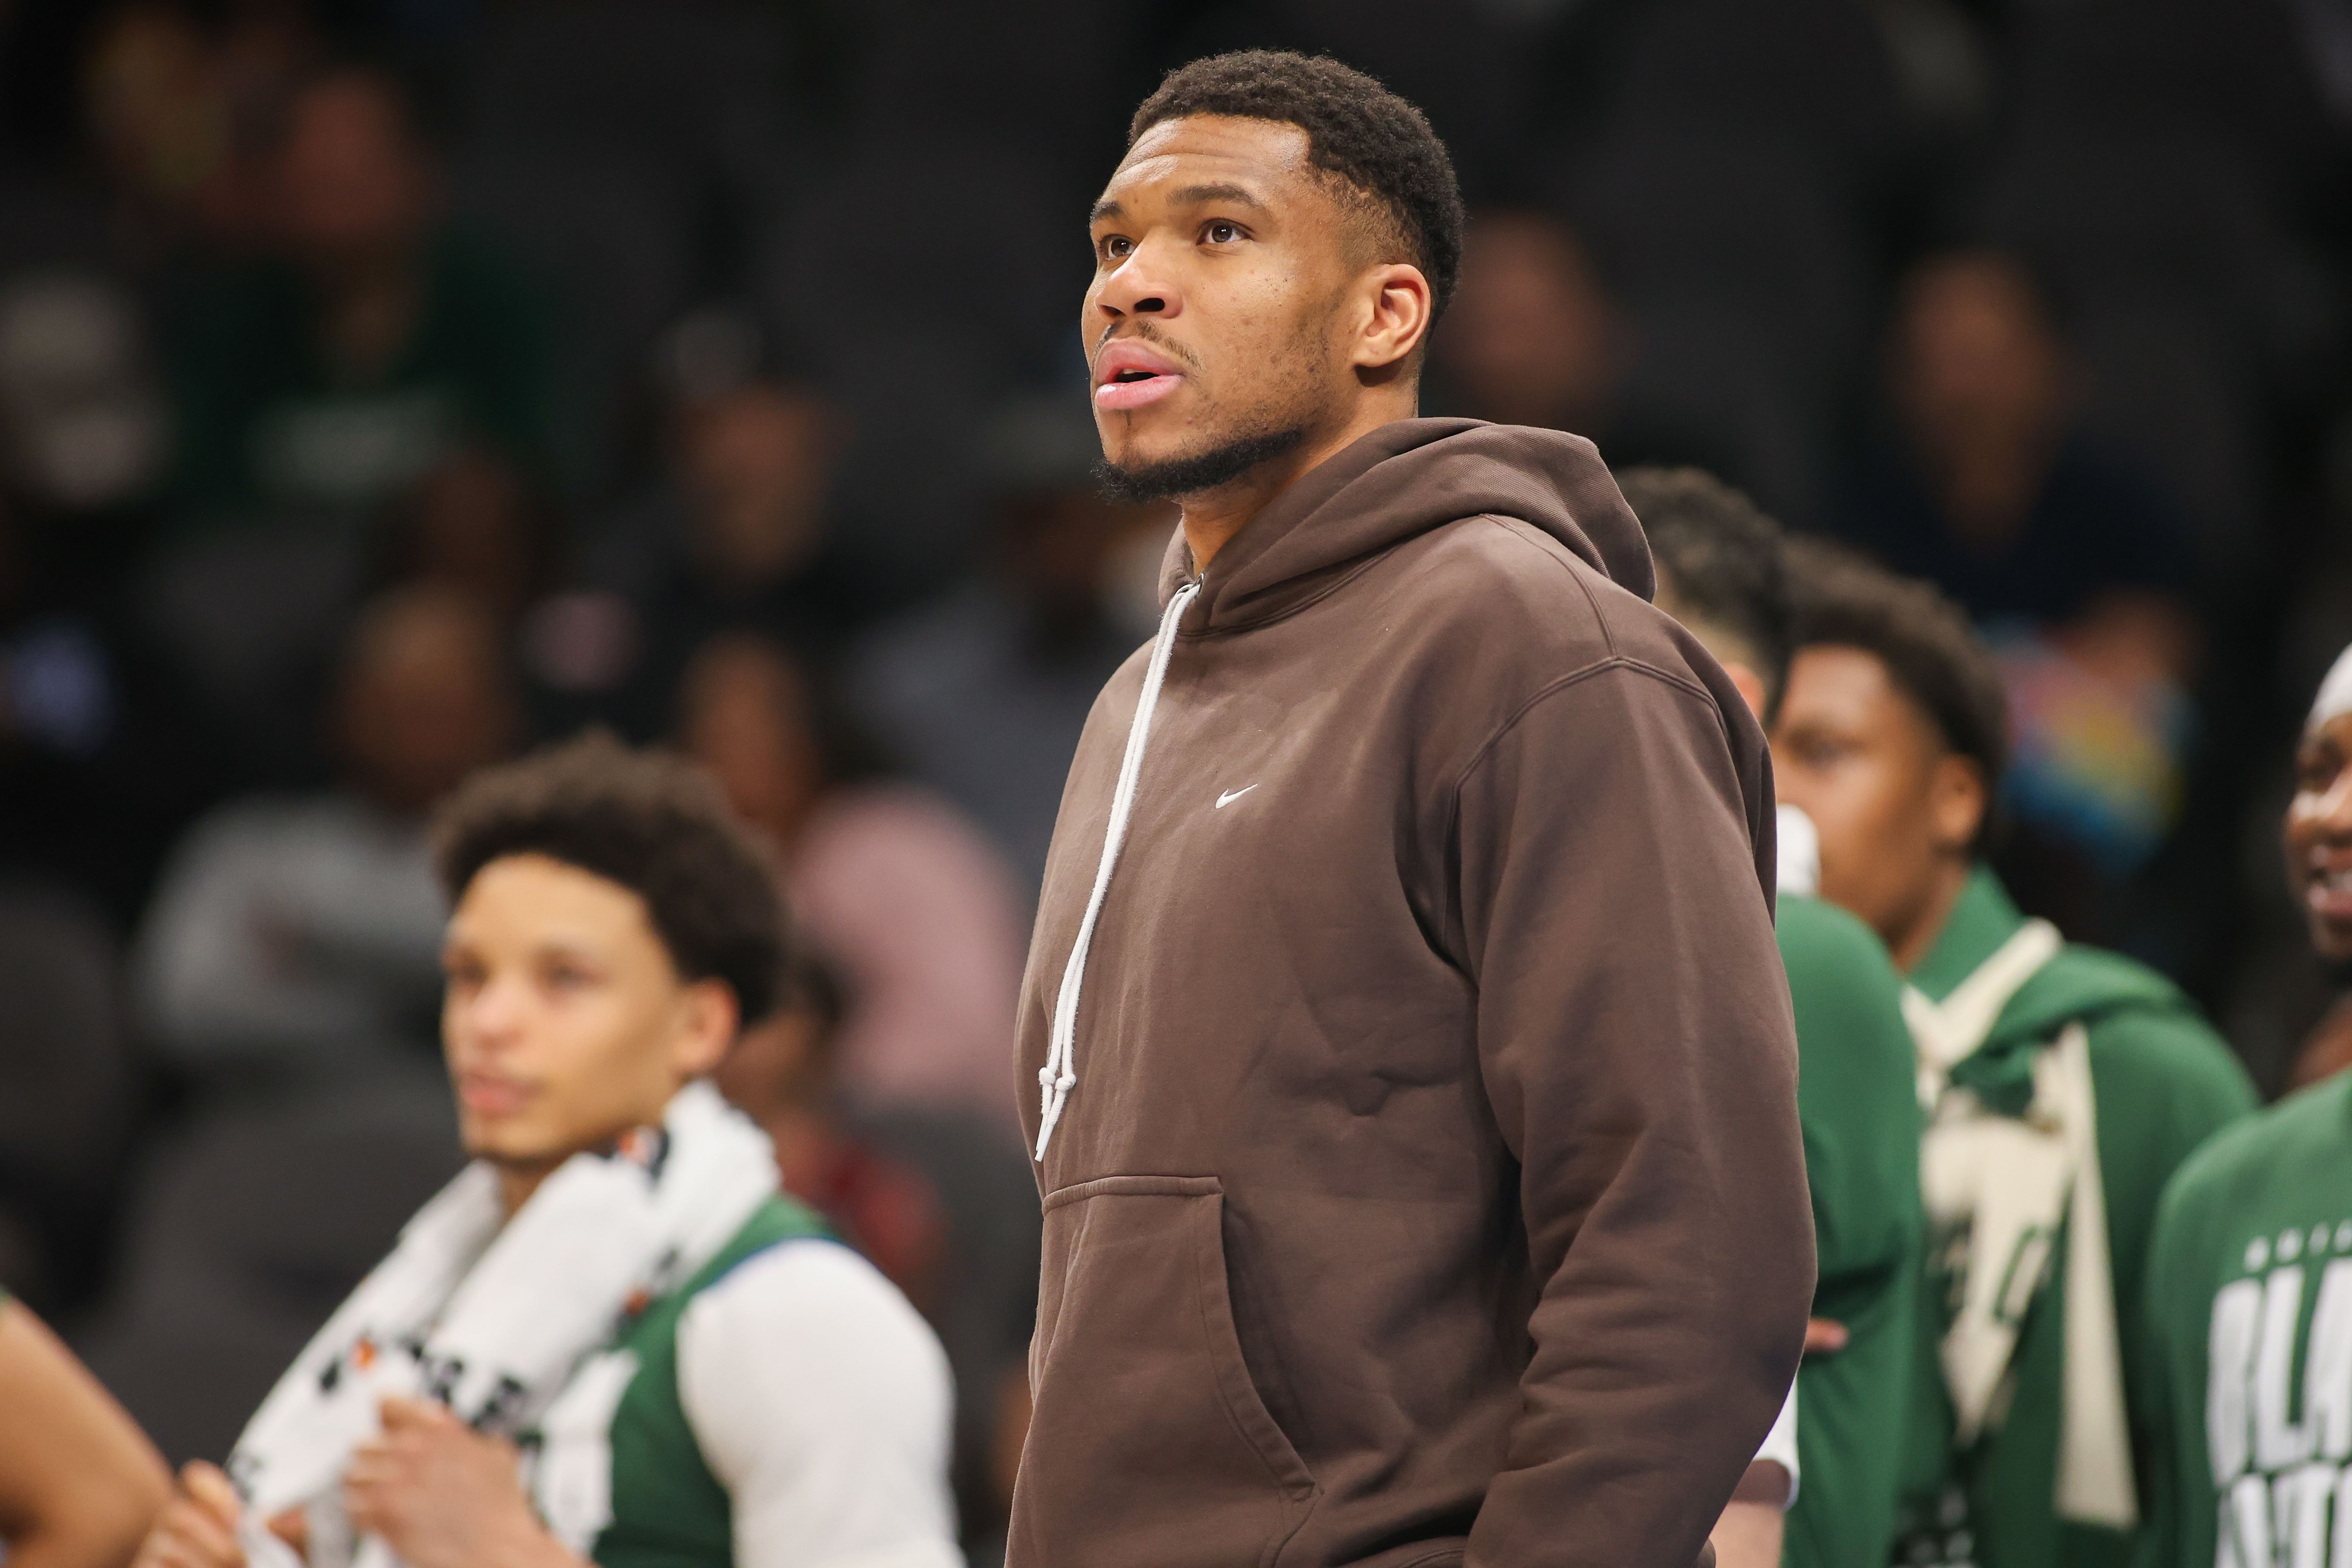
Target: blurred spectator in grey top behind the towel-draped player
<point>305,932</point>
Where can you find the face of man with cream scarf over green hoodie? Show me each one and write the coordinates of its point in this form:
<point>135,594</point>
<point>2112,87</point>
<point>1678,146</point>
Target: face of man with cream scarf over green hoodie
<point>1892,803</point>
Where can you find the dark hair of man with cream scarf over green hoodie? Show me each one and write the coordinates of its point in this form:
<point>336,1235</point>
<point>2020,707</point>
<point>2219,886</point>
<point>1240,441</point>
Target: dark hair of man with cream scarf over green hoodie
<point>1925,641</point>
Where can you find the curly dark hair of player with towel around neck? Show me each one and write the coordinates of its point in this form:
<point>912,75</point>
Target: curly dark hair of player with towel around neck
<point>650,822</point>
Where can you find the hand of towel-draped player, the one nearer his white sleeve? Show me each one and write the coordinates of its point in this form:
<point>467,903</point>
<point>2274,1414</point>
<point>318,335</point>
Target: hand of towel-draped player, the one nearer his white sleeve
<point>443,1496</point>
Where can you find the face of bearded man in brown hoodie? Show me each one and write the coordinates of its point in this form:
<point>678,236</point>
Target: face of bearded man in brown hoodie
<point>1222,262</point>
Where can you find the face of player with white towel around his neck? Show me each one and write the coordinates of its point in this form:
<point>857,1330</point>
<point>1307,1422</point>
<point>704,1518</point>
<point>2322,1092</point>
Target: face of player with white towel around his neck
<point>566,1021</point>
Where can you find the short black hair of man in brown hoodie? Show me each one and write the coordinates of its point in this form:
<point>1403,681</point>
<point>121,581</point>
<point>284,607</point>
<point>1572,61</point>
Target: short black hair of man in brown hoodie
<point>1365,138</point>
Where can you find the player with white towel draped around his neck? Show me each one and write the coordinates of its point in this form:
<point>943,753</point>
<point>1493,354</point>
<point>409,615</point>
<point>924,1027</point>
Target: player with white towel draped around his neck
<point>690,1369</point>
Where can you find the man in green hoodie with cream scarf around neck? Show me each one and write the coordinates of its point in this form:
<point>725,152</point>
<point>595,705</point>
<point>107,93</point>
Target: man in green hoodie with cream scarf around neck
<point>2062,1087</point>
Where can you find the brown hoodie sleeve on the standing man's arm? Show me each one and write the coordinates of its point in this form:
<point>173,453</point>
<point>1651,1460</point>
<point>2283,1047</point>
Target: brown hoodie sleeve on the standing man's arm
<point>1638,1052</point>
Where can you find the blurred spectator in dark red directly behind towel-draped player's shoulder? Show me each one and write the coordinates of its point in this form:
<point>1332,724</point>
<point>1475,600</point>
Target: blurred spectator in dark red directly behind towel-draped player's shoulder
<point>784,1073</point>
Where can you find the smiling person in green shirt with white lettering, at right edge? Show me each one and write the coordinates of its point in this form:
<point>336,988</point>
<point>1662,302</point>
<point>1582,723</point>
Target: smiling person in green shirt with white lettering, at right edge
<point>2250,1278</point>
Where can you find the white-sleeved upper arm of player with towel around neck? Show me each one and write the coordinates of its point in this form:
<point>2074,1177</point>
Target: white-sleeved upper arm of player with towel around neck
<point>822,1402</point>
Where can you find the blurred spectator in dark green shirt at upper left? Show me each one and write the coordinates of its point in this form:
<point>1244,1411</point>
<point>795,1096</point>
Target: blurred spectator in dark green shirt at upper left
<point>370,342</point>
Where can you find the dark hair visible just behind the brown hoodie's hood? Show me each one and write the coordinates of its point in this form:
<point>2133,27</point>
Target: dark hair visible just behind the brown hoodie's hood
<point>1720,561</point>
